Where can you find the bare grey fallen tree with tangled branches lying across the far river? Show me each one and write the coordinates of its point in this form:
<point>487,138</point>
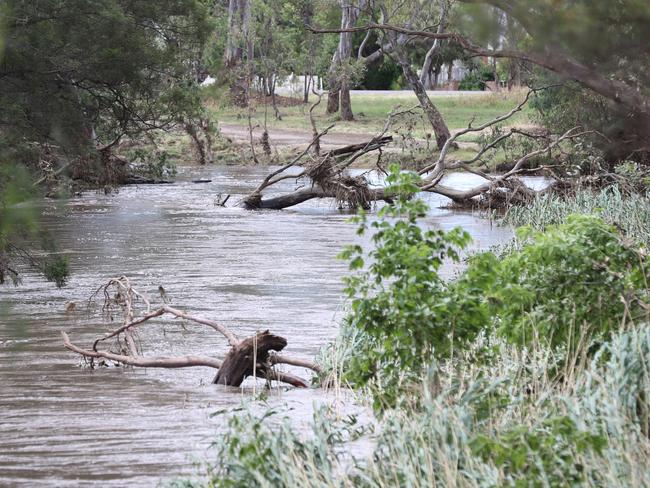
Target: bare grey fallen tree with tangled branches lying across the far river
<point>328,176</point>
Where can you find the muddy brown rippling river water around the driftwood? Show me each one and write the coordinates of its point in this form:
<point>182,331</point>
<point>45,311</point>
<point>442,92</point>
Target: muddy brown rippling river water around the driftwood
<point>63,425</point>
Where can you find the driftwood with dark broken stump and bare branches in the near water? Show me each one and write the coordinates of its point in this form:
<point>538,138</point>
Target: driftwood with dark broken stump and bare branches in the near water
<point>252,356</point>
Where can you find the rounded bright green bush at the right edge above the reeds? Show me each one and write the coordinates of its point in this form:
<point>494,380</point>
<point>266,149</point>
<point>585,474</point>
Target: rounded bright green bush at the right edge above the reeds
<point>565,286</point>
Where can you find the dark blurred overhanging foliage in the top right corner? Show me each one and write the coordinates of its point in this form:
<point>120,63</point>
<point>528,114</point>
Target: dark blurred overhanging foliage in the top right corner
<point>596,43</point>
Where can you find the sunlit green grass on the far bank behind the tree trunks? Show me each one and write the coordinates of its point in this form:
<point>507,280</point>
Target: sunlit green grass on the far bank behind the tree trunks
<point>371,112</point>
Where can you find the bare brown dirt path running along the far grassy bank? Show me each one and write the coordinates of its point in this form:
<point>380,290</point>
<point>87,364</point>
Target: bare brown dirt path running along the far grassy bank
<point>282,138</point>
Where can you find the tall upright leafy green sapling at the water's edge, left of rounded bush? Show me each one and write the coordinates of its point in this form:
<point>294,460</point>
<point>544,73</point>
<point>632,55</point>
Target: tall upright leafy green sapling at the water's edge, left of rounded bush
<point>403,308</point>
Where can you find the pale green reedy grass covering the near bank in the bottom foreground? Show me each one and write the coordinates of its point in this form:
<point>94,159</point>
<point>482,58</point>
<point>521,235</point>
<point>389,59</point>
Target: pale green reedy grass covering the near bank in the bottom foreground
<point>477,425</point>
